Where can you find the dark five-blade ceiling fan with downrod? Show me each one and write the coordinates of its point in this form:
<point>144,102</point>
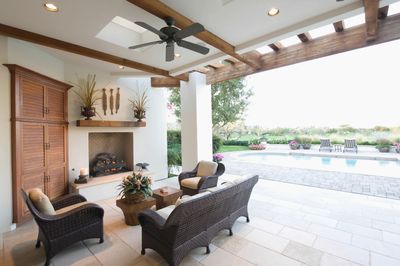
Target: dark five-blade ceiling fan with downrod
<point>172,35</point>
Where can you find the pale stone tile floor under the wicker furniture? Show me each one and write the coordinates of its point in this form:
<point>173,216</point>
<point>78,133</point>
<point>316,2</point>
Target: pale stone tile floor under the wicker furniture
<point>291,225</point>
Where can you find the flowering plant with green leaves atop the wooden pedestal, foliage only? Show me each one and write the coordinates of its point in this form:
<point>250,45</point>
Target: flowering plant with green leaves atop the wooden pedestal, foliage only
<point>135,187</point>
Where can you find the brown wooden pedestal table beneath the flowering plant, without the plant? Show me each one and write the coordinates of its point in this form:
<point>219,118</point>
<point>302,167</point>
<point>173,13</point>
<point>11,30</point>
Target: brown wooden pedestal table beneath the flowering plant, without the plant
<point>132,209</point>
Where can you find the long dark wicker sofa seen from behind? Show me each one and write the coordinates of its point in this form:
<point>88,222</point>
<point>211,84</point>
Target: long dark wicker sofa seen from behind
<point>194,223</point>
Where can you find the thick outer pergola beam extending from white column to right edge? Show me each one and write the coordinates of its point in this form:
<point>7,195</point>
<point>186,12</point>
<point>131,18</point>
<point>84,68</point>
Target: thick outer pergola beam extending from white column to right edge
<point>350,39</point>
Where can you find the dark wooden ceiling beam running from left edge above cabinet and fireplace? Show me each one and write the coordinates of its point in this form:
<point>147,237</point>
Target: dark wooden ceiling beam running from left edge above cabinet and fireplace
<point>76,49</point>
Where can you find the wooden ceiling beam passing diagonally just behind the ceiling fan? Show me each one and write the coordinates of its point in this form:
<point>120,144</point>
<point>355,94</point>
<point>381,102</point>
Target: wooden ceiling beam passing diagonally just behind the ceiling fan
<point>161,10</point>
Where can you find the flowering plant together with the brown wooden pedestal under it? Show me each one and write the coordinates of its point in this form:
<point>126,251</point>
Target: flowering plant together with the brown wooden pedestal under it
<point>135,195</point>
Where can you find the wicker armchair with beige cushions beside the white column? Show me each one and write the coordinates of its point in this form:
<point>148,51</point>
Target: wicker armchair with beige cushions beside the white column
<point>204,176</point>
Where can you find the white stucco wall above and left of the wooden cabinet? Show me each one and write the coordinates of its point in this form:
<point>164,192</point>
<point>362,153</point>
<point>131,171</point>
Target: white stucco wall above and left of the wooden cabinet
<point>24,54</point>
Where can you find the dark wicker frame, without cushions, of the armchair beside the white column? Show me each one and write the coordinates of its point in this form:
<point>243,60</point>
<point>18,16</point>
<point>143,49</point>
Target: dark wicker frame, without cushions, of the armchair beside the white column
<point>204,183</point>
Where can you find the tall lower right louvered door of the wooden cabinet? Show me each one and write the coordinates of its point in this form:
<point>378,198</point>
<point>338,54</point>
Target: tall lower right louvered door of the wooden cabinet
<point>57,182</point>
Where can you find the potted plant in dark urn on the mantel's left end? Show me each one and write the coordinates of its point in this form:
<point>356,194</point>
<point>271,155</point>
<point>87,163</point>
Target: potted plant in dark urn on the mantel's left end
<point>88,95</point>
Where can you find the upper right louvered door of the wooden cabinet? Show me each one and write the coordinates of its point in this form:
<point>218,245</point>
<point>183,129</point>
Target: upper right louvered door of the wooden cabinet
<point>56,104</point>
